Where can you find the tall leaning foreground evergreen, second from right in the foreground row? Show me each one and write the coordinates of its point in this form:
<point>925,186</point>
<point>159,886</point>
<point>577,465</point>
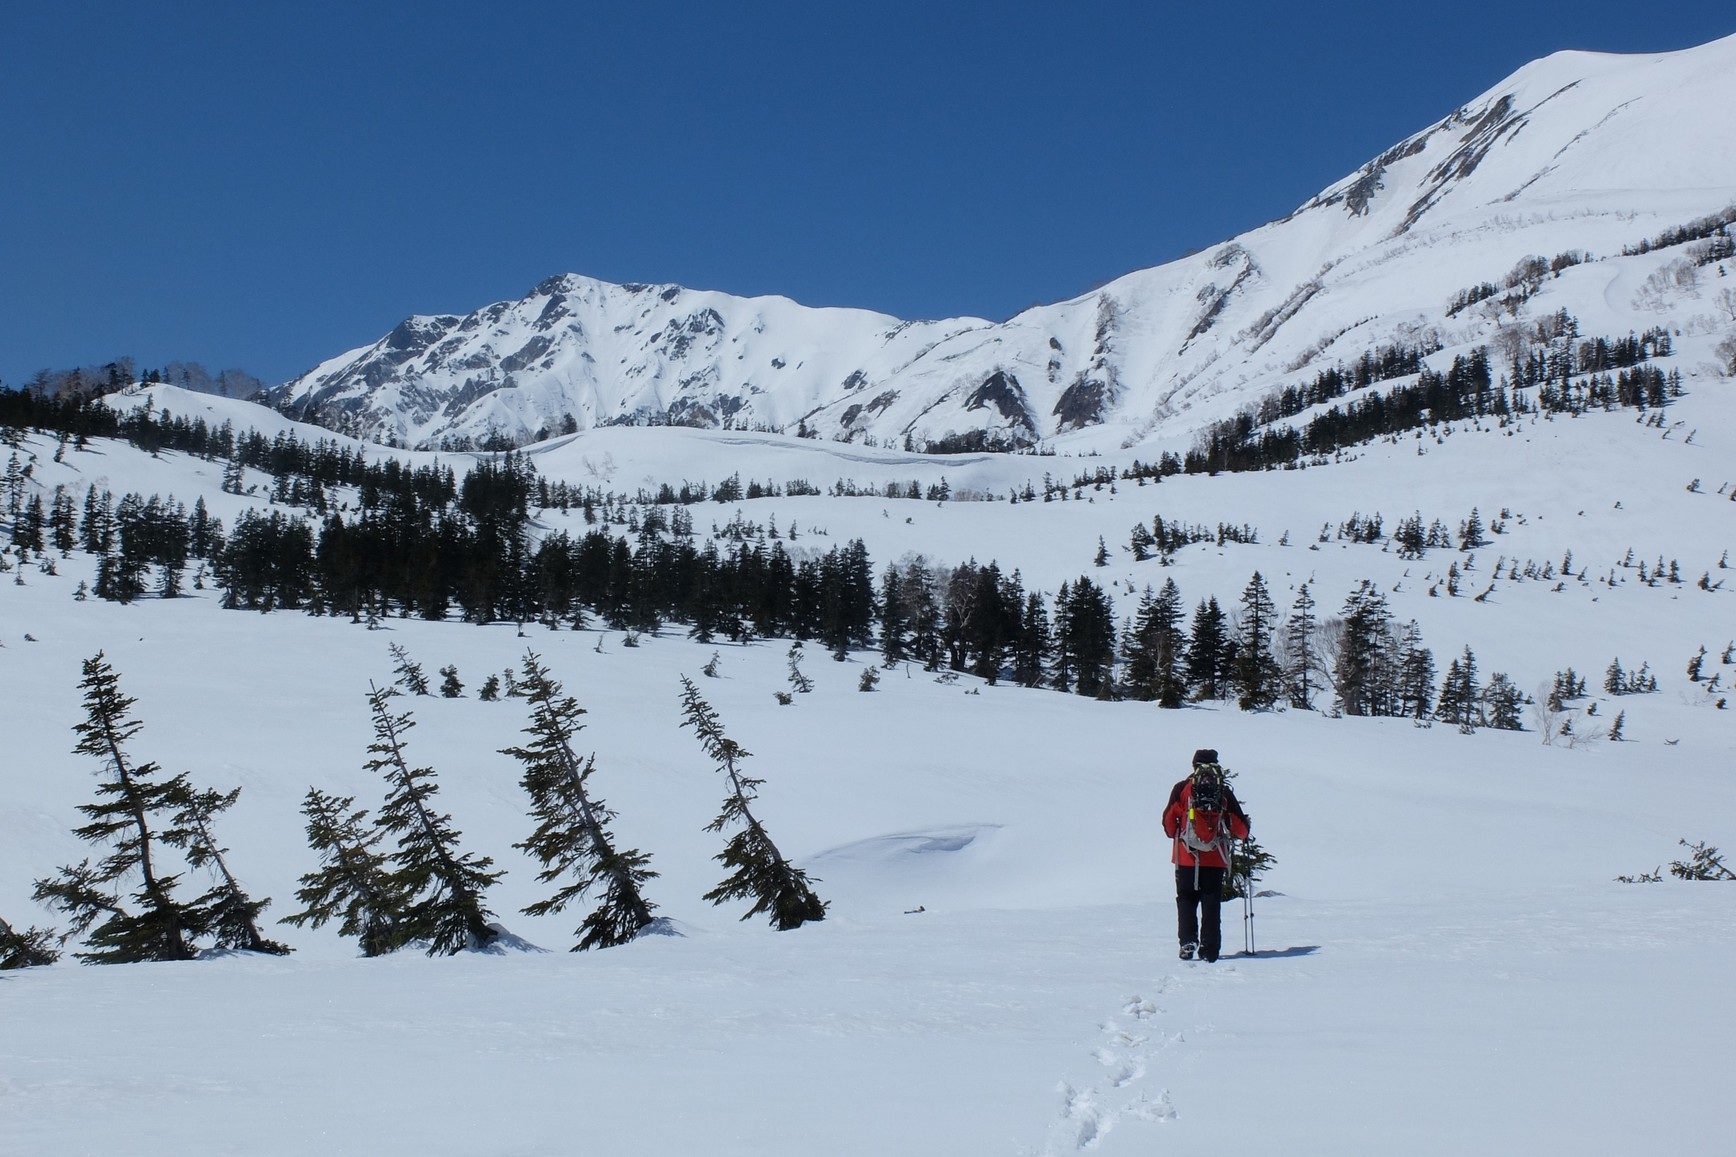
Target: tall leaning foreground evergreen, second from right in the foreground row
<point>572,836</point>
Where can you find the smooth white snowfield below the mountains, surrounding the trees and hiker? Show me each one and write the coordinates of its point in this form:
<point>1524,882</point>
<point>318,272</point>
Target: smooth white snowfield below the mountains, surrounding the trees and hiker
<point>1447,963</point>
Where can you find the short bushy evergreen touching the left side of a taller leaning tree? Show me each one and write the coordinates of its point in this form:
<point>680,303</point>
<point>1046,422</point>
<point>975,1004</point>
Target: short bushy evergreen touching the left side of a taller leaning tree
<point>355,880</point>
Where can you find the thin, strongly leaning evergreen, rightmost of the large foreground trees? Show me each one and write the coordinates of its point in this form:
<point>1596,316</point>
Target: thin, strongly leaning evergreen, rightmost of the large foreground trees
<point>759,871</point>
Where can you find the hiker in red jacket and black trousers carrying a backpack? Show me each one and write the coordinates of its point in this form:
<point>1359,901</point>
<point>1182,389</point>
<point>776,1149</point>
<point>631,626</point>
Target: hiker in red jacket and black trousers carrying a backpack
<point>1202,819</point>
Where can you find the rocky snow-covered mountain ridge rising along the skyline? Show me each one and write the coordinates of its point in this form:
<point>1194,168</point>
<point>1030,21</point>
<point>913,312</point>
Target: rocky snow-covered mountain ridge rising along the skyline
<point>1577,154</point>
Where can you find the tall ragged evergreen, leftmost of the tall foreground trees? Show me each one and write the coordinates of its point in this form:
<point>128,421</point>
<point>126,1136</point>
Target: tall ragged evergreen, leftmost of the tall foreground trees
<point>131,798</point>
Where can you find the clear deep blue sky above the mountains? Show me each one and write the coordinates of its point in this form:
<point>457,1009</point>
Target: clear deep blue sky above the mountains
<point>265,187</point>
